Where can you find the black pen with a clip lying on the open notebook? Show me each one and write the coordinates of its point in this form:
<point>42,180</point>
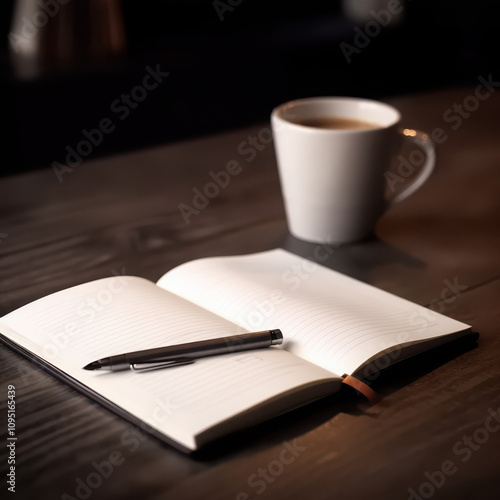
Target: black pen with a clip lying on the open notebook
<point>182,354</point>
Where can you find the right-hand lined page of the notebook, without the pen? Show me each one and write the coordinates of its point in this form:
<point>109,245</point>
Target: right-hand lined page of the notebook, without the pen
<point>326,317</point>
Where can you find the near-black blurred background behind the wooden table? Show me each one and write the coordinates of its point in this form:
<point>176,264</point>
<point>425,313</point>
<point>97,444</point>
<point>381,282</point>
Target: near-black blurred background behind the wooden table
<point>232,72</point>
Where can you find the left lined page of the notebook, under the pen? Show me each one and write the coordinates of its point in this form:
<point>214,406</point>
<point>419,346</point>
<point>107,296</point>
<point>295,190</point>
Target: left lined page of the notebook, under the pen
<point>115,315</point>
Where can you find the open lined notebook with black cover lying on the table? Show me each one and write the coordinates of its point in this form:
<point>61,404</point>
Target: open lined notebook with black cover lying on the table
<point>332,325</point>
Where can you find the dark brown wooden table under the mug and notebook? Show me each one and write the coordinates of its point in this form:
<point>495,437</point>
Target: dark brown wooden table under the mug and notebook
<point>439,248</point>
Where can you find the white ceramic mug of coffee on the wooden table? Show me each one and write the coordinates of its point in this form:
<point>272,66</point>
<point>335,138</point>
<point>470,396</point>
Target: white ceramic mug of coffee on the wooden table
<point>333,179</point>
